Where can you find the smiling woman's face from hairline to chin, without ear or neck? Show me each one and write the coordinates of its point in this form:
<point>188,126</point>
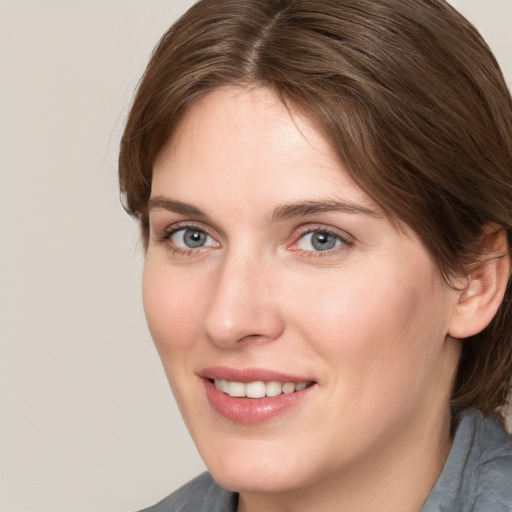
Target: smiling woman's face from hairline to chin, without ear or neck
<point>269,268</point>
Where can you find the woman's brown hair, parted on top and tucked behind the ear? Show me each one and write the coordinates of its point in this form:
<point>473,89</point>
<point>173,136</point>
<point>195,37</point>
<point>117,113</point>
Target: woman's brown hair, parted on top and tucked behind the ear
<point>410,97</point>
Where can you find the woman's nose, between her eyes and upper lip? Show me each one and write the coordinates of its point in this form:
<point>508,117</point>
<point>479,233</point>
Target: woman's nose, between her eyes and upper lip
<point>243,305</point>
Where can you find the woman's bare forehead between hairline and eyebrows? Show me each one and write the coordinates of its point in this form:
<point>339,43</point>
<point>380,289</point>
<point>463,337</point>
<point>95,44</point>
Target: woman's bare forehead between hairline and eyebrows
<point>245,144</point>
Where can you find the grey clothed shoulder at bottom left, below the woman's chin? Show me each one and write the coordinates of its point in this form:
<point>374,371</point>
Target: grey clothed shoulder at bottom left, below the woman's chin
<point>200,494</point>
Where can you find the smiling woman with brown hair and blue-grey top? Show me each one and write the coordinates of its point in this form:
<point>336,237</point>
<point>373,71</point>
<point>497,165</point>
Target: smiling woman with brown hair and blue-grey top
<point>325,197</point>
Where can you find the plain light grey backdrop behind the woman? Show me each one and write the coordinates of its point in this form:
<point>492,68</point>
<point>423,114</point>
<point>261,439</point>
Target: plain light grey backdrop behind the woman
<point>87,423</point>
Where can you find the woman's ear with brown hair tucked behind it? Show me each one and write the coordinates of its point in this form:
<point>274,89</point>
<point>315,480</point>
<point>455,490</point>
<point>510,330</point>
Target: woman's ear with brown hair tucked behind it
<point>484,287</point>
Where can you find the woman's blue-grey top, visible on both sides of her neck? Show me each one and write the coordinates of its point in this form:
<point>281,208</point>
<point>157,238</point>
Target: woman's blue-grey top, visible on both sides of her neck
<point>477,477</point>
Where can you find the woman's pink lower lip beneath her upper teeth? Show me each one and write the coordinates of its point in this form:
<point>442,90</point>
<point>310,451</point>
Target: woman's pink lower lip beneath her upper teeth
<point>252,411</point>
